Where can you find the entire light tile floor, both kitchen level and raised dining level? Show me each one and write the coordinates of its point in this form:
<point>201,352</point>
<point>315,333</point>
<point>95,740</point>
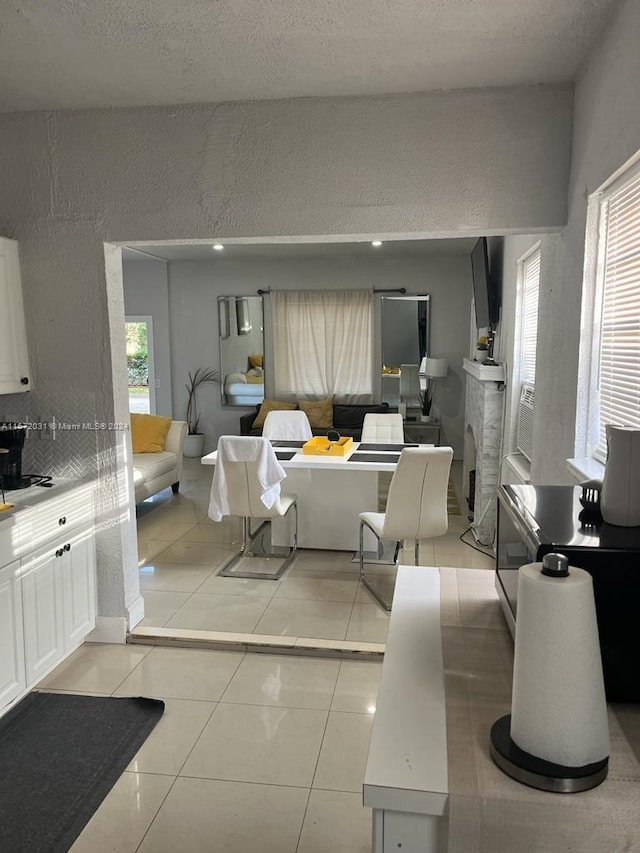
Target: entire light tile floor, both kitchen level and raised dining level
<point>255,753</point>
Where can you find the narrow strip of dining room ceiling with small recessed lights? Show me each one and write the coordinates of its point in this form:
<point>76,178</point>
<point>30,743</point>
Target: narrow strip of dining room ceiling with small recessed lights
<point>279,251</point>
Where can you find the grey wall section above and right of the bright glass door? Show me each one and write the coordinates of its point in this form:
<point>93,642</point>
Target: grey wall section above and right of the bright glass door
<point>146,292</point>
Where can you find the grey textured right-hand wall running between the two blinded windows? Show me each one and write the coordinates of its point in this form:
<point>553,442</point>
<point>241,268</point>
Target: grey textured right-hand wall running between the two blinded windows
<point>606,133</point>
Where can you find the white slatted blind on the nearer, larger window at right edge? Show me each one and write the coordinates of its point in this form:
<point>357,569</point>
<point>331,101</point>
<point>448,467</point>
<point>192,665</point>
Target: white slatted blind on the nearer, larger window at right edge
<point>619,358</point>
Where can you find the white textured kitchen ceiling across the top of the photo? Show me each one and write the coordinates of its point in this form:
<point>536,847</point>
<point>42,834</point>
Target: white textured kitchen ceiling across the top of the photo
<point>84,53</point>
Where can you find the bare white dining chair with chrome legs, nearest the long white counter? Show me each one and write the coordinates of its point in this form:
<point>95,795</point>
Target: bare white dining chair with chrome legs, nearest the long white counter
<point>416,505</point>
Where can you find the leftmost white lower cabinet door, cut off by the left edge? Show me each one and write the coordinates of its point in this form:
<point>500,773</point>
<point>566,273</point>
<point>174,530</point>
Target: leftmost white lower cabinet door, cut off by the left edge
<point>12,672</point>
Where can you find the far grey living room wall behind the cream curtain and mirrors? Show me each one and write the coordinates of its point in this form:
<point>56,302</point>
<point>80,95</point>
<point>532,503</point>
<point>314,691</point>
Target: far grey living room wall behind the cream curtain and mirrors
<point>196,285</point>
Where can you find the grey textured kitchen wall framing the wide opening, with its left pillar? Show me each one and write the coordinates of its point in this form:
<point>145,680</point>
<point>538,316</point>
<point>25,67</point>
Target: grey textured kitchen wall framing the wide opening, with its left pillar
<point>430,165</point>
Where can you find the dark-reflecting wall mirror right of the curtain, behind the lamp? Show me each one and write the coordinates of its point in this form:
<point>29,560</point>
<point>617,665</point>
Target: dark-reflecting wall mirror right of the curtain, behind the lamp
<point>405,339</point>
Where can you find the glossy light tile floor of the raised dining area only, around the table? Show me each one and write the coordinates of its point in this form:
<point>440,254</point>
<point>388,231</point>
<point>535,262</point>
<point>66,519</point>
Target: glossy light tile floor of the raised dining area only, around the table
<point>320,596</point>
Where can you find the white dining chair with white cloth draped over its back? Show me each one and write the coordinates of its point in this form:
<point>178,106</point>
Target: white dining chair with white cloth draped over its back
<point>246,483</point>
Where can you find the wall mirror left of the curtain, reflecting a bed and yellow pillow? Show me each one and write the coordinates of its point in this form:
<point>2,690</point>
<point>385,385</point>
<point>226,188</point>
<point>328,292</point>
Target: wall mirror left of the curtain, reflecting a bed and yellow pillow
<point>241,350</point>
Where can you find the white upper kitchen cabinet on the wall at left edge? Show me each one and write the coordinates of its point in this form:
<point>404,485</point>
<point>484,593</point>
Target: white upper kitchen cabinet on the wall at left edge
<point>14,358</point>
